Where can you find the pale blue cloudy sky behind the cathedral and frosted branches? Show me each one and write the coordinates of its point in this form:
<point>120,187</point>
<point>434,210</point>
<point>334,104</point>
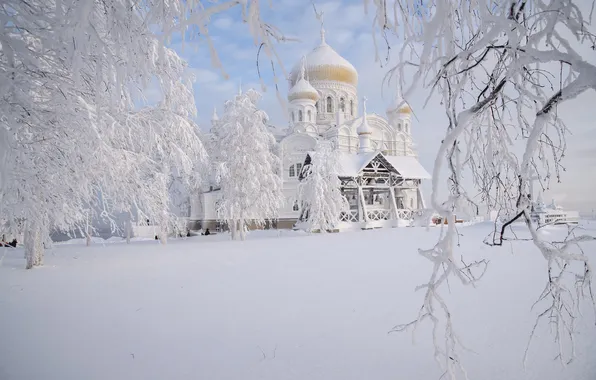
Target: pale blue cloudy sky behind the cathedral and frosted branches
<point>348,31</point>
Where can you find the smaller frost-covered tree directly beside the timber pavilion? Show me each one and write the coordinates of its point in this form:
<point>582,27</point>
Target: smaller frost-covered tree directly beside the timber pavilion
<point>319,192</point>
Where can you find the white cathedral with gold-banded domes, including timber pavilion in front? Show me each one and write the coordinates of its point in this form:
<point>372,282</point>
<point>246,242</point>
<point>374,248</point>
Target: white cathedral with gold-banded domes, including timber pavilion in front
<point>380,172</point>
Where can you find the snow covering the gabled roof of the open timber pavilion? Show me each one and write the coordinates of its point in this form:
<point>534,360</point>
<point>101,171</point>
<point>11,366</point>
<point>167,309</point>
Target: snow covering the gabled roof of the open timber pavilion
<point>406,166</point>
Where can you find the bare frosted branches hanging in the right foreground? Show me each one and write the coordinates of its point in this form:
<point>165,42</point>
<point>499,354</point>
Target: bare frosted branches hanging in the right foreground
<point>500,69</point>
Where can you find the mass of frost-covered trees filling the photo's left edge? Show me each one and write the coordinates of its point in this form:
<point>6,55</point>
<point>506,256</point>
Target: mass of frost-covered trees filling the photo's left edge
<point>71,75</point>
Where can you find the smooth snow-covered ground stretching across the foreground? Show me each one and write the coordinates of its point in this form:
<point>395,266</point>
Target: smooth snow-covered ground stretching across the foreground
<point>277,306</point>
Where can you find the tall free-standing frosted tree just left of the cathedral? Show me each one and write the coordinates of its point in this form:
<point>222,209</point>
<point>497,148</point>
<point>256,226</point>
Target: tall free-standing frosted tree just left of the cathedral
<point>251,190</point>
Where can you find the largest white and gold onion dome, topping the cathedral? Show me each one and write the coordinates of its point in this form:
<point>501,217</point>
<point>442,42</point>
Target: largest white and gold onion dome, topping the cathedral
<point>325,64</point>
